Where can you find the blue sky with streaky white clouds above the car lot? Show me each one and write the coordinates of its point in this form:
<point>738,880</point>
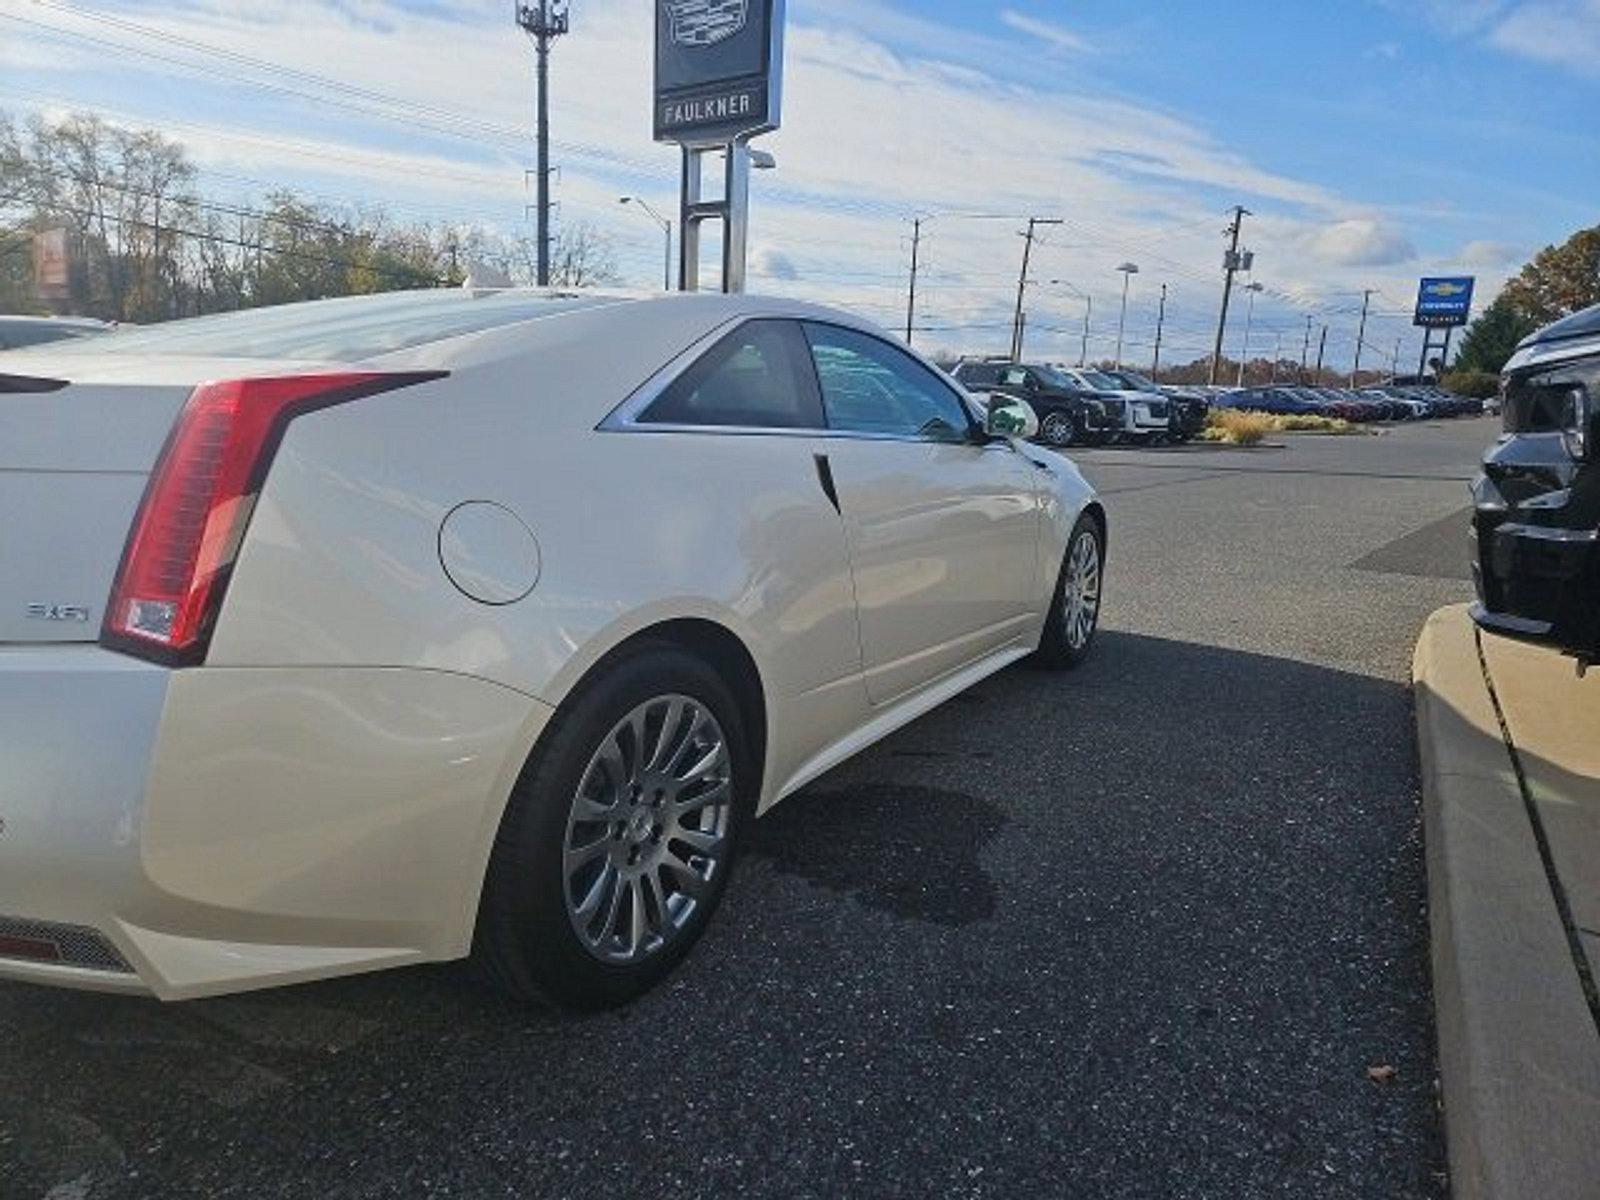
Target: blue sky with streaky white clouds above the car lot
<point>1374,142</point>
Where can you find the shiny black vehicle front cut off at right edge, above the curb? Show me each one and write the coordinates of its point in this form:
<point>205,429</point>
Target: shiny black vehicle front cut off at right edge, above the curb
<point>1537,505</point>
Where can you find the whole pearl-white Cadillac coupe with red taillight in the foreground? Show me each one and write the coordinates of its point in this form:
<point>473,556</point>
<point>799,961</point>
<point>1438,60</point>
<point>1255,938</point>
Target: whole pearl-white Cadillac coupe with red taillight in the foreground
<point>406,628</point>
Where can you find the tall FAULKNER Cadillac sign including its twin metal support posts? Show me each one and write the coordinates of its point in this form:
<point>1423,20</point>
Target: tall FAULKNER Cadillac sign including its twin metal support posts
<point>719,82</point>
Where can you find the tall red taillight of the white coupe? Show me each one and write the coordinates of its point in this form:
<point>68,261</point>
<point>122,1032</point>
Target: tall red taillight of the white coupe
<point>199,500</point>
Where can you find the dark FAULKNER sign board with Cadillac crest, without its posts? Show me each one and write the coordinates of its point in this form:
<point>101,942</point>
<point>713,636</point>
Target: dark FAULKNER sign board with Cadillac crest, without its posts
<point>719,70</point>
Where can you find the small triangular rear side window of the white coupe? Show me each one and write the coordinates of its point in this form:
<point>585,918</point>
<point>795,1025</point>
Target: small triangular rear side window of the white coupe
<point>756,377</point>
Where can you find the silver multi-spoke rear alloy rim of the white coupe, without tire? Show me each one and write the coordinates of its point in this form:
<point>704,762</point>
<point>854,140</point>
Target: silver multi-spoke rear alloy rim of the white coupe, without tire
<point>649,830</point>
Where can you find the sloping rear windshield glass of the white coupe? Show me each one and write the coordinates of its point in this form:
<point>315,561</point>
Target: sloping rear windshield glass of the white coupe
<point>337,330</point>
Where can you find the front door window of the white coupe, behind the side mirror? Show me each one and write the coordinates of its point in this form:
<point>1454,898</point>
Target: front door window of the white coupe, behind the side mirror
<point>873,388</point>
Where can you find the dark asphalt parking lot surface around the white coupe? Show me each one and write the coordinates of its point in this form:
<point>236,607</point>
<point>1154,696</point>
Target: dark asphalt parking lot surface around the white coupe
<point>1134,932</point>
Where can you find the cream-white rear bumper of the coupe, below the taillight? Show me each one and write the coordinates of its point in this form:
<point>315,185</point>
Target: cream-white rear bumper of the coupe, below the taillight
<point>217,830</point>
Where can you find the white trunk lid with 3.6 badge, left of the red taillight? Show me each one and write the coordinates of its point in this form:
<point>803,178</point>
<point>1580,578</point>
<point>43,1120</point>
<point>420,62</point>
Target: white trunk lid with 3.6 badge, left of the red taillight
<point>79,439</point>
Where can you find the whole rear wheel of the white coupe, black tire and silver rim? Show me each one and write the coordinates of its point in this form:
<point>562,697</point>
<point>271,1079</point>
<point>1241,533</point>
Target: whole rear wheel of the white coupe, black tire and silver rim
<point>601,817</point>
